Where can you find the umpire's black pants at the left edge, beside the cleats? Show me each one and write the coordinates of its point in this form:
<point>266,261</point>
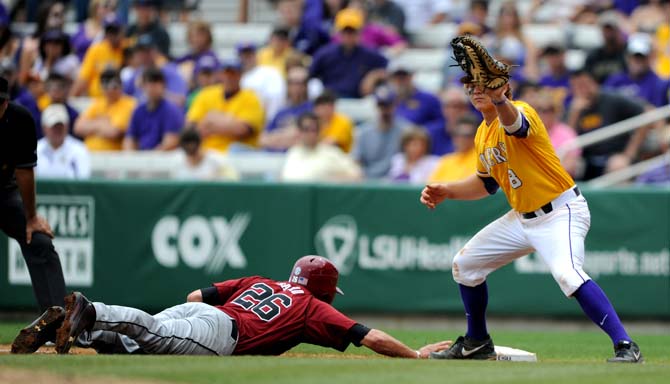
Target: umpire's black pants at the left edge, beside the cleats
<point>41,258</point>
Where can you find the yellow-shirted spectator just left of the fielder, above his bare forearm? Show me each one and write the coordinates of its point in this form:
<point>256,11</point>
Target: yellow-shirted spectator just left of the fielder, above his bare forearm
<point>460,163</point>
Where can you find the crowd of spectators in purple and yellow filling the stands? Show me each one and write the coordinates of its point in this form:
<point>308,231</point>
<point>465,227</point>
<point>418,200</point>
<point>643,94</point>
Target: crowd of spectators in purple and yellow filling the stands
<point>282,96</point>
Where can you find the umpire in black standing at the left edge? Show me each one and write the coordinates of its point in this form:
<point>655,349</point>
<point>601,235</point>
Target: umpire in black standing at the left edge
<point>18,218</point>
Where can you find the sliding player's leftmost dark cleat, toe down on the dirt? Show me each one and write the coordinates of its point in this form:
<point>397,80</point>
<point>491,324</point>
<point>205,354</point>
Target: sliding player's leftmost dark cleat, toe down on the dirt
<point>39,332</point>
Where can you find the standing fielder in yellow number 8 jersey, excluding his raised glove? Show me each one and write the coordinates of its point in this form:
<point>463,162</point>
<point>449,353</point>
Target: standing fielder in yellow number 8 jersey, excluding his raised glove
<point>549,216</point>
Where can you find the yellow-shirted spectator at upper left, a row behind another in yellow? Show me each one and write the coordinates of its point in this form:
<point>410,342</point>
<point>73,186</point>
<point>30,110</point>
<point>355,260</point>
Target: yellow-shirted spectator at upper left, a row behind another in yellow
<point>103,55</point>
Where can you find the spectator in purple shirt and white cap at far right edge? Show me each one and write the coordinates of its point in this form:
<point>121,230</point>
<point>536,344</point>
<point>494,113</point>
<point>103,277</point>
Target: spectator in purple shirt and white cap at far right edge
<point>639,80</point>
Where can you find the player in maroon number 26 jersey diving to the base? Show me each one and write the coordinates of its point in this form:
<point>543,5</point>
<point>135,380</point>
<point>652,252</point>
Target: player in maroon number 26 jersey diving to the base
<point>247,316</point>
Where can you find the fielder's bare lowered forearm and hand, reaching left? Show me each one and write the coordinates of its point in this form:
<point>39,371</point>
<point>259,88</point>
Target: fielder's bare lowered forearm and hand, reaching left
<point>471,188</point>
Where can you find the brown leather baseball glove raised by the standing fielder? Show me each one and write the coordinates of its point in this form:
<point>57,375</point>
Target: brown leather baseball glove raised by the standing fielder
<point>478,64</point>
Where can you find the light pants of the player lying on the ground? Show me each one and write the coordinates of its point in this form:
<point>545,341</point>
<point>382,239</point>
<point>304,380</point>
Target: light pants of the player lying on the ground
<point>185,329</point>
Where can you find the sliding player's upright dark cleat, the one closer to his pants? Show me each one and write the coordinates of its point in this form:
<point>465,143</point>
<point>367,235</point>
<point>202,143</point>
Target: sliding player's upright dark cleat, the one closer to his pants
<point>79,317</point>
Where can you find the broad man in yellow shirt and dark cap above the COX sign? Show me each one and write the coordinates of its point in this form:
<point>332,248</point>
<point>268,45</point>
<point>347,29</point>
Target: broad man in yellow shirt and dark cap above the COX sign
<point>226,114</point>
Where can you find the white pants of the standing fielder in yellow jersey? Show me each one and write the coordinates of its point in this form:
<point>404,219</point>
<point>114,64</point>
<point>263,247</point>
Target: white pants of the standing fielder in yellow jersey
<point>557,237</point>
